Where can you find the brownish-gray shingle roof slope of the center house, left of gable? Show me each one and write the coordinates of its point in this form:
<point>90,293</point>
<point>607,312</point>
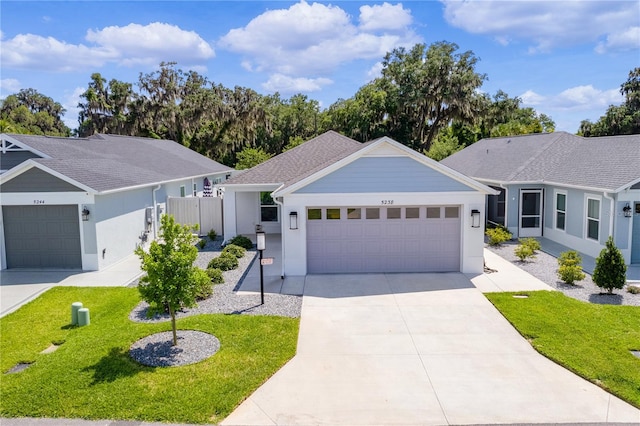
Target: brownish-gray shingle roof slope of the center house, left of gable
<point>300,162</point>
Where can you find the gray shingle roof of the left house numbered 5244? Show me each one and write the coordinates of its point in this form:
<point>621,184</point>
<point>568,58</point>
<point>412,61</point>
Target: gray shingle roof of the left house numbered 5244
<point>110,162</point>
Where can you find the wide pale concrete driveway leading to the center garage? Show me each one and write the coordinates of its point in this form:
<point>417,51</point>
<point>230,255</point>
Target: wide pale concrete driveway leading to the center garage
<point>391,349</point>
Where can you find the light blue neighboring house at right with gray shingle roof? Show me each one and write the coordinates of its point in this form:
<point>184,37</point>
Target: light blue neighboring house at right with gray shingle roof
<point>575,191</point>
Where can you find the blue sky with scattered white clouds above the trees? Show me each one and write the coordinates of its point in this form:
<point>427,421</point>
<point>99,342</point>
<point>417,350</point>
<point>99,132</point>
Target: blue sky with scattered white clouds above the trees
<point>566,59</point>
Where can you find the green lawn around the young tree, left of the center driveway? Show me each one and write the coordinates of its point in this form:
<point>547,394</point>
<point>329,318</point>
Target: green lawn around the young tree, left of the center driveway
<point>91,375</point>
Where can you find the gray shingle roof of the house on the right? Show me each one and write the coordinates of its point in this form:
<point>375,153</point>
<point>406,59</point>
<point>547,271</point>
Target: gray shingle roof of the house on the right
<point>606,163</point>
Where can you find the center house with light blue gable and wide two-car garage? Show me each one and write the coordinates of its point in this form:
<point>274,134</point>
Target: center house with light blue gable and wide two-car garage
<point>346,207</point>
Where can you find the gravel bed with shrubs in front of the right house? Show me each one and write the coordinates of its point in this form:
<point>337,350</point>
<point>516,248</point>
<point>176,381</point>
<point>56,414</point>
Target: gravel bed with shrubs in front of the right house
<point>545,267</point>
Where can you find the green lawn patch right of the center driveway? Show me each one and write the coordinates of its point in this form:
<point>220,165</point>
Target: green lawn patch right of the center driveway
<point>589,339</point>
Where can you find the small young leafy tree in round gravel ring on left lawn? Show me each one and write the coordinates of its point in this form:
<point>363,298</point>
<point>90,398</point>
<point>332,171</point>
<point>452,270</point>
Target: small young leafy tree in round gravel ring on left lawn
<point>171,282</point>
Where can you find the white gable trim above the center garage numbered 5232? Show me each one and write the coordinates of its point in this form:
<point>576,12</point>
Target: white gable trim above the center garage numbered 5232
<point>406,150</point>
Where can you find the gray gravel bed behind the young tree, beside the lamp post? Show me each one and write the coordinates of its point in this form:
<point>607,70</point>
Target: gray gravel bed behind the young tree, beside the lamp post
<point>225,300</point>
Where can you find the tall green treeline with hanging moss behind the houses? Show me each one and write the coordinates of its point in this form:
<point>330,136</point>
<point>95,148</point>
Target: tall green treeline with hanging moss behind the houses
<point>427,97</point>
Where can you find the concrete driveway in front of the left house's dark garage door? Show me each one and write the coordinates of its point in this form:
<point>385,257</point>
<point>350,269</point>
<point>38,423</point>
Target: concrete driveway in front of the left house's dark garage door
<point>18,287</point>
